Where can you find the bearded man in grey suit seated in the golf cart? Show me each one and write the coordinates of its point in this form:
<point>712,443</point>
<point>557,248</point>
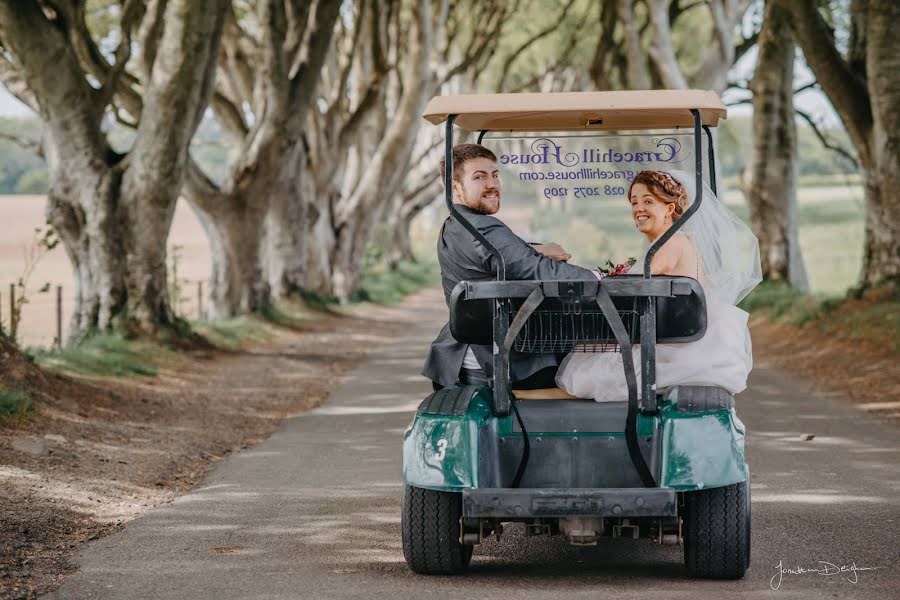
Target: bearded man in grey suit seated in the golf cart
<point>476,194</point>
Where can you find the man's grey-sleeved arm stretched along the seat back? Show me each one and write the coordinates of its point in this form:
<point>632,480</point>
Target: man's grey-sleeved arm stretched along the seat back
<point>523,262</point>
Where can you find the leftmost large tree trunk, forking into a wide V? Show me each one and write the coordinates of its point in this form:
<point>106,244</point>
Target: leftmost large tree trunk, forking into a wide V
<point>113,212</point>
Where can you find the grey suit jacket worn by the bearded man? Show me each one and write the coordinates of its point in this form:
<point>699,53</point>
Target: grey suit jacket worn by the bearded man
<point>463,258</point>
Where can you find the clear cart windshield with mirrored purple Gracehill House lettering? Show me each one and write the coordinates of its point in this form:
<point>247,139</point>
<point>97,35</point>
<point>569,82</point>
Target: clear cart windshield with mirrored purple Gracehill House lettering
<point>572,188</point>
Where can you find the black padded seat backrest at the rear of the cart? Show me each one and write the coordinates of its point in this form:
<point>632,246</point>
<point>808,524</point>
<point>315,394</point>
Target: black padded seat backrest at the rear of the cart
<point>558,325</point>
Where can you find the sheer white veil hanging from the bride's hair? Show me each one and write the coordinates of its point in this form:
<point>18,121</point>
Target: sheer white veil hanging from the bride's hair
<point>727,248</point>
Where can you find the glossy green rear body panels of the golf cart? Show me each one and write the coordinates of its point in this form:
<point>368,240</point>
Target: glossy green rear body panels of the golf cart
<point>694,450</point>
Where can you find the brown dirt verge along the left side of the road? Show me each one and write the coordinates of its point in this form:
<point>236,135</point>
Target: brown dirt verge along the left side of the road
<point>99,452</point>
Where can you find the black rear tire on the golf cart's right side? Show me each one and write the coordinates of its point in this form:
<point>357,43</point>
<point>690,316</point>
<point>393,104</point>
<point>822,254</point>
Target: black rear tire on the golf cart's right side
<point>717,532</point>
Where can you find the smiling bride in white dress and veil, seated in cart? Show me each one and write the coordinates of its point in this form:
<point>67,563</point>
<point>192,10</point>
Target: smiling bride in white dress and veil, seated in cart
<point>714,247</point>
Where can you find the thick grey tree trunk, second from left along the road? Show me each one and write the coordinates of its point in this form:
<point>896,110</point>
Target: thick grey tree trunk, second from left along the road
<point>257,220</point>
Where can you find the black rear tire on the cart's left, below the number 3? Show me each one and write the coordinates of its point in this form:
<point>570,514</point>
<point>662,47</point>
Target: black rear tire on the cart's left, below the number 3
<point>430,525</point>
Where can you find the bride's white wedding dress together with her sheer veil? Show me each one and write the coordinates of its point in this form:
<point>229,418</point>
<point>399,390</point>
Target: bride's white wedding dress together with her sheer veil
<point>723,356</point>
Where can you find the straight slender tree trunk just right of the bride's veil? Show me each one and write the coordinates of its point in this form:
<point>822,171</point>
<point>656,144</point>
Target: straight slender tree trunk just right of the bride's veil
<point>769,179</point>
